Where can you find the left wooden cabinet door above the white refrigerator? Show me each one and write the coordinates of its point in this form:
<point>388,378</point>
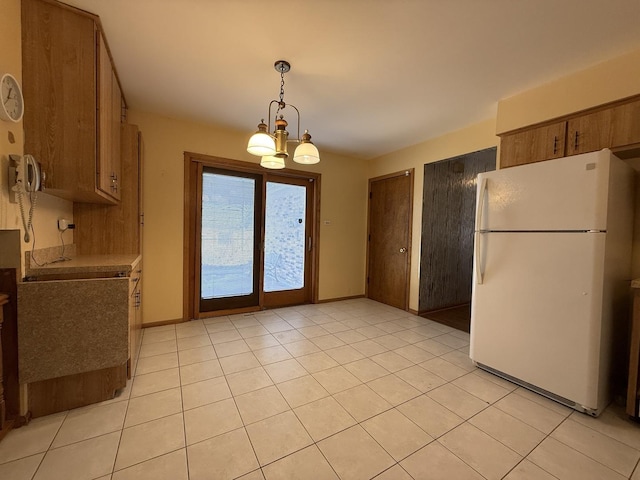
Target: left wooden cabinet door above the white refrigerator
<point>534,145</point>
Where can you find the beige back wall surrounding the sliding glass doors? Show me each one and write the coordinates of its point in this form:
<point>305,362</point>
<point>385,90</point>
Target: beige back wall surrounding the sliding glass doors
<point>343,206</point>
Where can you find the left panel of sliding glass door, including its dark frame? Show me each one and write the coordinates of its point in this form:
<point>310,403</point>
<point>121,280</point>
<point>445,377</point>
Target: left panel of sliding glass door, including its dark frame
<point>229,240</point>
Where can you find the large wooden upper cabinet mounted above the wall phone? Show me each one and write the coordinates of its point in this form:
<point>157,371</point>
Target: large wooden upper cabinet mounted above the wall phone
<point>73,102</point>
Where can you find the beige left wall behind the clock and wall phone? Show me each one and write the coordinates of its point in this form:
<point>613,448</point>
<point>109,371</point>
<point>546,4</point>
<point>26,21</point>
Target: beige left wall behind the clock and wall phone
<point>48,208</point>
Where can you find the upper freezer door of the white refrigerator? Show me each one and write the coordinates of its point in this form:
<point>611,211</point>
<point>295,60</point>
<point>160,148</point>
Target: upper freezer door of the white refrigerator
<point>563,194</point>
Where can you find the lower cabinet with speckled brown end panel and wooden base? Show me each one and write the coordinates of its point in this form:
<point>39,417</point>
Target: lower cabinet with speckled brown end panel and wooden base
<point>78,339</point>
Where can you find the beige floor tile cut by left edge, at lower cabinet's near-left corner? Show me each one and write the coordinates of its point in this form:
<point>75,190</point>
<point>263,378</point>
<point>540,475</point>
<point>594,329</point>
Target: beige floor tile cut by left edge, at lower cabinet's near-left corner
<point>36,437</point>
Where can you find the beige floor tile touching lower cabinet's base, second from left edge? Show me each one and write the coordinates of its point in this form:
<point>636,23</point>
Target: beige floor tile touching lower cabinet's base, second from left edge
<point>88,422</point>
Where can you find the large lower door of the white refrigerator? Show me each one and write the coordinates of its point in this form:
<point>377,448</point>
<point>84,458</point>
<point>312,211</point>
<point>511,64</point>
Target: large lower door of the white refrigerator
<point>537,314</point>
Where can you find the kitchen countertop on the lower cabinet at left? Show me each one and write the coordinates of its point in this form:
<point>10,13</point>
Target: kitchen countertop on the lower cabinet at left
<point>86,264</point>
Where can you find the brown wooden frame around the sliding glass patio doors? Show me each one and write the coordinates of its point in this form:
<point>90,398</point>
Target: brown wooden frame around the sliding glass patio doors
<point>193,166</point>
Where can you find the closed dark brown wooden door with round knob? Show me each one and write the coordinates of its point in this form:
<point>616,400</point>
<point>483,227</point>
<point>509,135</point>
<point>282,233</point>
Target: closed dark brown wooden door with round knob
<point>389,238</point>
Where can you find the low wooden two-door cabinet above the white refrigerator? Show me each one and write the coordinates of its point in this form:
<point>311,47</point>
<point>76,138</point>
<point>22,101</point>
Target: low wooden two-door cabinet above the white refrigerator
<point>611,126</point>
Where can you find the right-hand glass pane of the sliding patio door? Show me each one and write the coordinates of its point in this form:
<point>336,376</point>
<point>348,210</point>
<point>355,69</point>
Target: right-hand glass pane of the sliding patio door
<point>285,237</point>
